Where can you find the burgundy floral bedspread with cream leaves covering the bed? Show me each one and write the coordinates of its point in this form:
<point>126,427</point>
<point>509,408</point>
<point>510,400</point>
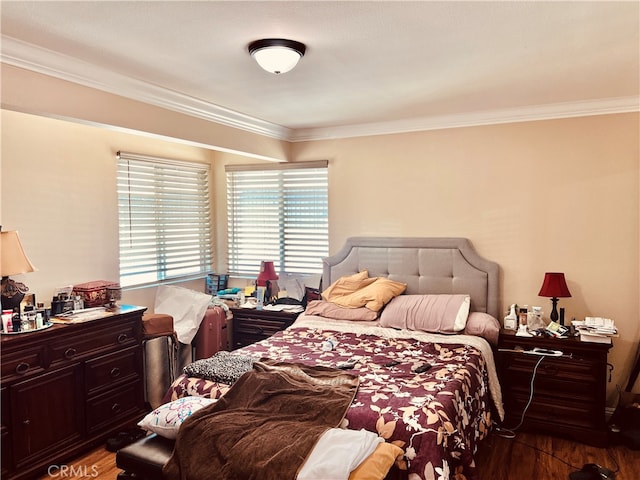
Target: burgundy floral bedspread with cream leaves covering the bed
<point>437,416</point>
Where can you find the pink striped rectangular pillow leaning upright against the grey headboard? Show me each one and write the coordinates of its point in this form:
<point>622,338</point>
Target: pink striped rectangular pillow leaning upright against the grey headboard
<point>427,313</point>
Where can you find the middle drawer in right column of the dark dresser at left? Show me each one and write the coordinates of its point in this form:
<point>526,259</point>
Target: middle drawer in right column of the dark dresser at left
<point>109,370</point>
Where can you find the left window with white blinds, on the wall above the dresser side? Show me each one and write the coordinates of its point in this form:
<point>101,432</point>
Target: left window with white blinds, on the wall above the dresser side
<point>164,219</point>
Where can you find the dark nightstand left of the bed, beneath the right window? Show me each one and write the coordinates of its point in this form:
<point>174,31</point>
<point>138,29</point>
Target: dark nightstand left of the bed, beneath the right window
<point>250,325</point>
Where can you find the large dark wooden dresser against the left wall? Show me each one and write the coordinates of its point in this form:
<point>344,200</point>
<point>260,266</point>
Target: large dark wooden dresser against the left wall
<point>67,388</point>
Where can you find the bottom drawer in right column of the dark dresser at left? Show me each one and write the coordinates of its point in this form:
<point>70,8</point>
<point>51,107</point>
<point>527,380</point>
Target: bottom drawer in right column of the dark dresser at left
<point>114,406</point>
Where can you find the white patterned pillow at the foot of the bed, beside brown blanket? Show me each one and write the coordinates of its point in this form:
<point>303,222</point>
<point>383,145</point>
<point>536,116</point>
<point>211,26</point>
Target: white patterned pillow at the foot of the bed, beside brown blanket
<point>166,419</point>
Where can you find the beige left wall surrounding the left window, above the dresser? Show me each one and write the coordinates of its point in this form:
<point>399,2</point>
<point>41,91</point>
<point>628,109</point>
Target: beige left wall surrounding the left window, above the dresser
<point>58,190</point>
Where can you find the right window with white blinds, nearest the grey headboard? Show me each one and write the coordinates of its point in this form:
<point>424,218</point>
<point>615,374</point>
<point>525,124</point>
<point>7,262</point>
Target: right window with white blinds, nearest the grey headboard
<point>278,212</point>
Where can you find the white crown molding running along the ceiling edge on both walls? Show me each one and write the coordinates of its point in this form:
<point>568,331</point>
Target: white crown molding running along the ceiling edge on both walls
<point>41,60</point>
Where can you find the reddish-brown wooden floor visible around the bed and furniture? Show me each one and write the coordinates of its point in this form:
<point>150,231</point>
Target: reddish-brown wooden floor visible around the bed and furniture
<point>499,458</point>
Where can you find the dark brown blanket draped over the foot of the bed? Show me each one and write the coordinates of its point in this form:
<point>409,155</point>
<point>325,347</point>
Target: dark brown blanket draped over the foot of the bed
<point>264,426</point>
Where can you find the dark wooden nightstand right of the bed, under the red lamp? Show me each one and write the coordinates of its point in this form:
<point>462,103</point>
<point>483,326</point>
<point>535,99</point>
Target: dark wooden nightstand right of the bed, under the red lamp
<point>569,391</point>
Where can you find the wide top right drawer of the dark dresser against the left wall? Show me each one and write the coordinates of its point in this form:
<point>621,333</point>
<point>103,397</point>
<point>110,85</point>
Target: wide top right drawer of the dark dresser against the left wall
<point>72,347</point>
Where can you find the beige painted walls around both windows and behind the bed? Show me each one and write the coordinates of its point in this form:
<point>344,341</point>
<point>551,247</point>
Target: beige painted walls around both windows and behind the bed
<point>534,197</point>
